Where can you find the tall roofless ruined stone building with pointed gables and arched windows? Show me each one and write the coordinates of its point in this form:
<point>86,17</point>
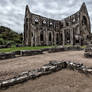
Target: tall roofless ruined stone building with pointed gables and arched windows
<point>73,30</point>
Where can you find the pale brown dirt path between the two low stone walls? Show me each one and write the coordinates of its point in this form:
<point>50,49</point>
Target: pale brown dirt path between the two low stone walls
<point>11,67</point>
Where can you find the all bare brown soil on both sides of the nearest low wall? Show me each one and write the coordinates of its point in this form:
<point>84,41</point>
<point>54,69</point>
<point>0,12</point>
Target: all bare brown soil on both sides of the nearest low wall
<point>62,81</point>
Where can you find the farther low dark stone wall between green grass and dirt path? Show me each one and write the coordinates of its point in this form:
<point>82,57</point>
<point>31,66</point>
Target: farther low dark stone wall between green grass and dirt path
<point>36,52</point>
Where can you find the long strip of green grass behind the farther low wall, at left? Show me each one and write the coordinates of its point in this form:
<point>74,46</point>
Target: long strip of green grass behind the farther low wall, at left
<point>23,48</point>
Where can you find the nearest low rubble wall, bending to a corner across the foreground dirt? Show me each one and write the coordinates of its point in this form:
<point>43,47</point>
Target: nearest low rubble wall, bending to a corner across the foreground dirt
<point>51,67</point>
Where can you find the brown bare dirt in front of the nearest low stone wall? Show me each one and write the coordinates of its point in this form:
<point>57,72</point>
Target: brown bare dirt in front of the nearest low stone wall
<point>63,81</point>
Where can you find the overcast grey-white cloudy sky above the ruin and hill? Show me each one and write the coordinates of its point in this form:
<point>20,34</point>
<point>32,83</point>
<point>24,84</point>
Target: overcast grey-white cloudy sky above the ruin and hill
<point>12,11</point>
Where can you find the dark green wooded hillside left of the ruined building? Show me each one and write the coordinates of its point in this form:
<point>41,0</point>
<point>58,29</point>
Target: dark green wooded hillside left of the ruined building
<point>7,35</point>
